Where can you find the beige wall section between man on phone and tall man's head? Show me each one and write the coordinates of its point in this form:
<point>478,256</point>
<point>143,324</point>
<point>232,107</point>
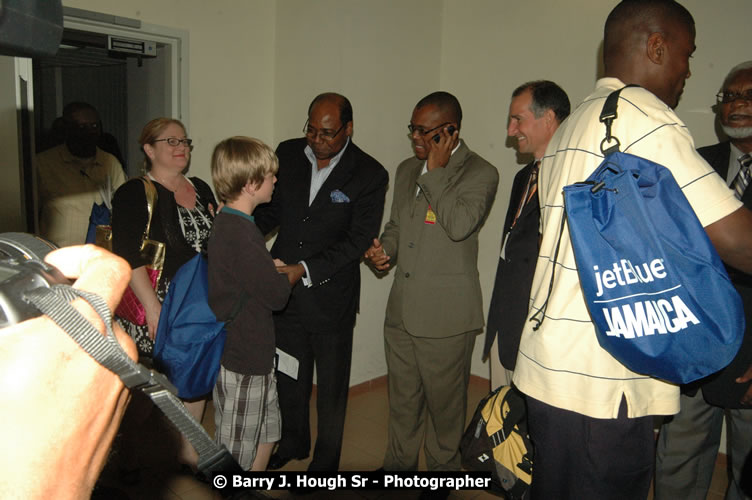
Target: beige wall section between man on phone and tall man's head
<point>490,48</point>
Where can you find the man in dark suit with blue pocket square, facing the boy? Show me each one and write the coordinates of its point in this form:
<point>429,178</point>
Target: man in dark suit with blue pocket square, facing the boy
<point>327,204</point>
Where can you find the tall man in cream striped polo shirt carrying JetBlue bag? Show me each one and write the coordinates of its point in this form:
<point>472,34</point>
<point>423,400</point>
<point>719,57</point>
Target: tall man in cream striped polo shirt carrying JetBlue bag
<point>589,416</point>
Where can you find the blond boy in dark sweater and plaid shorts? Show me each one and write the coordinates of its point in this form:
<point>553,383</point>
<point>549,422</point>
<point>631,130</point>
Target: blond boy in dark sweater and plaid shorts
<point>246,411</point>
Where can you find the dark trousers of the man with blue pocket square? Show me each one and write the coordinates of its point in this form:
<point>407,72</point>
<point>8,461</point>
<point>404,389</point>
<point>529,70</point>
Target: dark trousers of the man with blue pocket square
<point>331,352</point>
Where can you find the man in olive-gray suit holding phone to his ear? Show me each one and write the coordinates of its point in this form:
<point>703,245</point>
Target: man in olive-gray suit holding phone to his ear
<point>442,196</point>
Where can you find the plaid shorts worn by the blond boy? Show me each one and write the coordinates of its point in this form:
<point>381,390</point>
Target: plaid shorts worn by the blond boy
<point>246,413</point>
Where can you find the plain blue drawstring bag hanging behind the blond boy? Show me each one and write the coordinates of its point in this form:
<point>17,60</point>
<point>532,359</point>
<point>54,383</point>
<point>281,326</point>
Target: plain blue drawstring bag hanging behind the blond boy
<point>190,340</point>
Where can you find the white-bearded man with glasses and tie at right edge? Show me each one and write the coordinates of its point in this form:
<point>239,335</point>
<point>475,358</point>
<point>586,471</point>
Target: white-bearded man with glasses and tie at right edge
<point>688,443</point>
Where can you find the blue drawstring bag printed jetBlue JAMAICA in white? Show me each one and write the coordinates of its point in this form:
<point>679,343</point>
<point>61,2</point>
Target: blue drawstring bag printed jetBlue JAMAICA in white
<point>655,288</point>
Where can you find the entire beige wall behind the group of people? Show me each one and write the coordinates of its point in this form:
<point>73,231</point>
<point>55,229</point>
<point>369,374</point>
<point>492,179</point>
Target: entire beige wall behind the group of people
<point>255,65</point>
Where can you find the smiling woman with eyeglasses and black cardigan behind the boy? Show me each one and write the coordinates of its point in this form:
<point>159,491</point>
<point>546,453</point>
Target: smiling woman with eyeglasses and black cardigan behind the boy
<point>181,219</point>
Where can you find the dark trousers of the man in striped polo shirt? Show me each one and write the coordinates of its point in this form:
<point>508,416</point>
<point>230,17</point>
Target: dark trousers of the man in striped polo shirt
<point>579,457</point>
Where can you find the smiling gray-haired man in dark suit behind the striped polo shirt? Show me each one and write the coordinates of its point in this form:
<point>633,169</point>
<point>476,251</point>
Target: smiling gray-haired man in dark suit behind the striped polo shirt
<point>536,110</point>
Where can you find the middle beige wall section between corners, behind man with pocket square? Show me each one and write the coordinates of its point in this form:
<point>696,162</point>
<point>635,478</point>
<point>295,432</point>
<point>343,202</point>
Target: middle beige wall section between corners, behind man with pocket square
<point>383,56</point>
